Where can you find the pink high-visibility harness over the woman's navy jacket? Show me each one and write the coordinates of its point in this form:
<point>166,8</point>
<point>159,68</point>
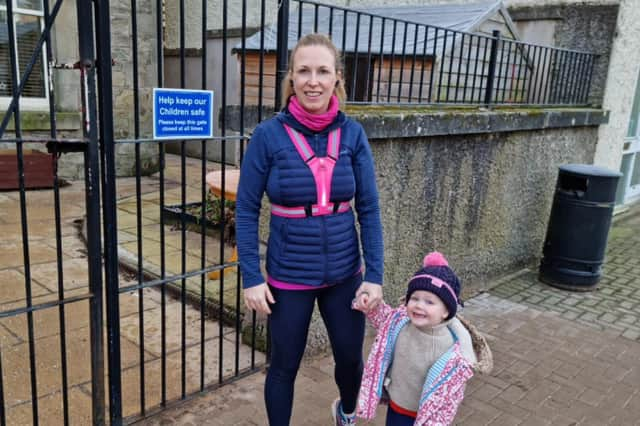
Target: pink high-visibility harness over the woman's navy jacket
<point>322,169</point>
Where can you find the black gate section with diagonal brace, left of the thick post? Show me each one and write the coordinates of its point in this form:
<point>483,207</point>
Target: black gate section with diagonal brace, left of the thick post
<point>62,300</point>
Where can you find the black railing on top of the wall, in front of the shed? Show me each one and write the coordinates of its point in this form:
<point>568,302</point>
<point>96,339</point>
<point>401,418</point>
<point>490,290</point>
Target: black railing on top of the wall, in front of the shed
<point>395,61</point>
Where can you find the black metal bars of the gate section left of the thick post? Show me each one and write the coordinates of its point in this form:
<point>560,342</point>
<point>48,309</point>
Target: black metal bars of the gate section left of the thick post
<point>56,146</point>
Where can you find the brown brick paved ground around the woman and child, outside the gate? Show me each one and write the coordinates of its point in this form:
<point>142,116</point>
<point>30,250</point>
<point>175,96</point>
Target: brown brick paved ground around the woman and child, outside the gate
<point>561,358</point>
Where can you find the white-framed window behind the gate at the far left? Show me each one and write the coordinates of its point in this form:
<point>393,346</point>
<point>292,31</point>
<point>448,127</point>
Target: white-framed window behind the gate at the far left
<point>28,24</point>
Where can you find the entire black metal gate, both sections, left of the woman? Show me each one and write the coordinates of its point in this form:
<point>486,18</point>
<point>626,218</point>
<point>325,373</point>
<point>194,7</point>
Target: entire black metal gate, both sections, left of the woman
<point>174,326</point>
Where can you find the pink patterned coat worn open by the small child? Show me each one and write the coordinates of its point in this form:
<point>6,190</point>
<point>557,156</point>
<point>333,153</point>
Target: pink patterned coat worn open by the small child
<point>444,386</point>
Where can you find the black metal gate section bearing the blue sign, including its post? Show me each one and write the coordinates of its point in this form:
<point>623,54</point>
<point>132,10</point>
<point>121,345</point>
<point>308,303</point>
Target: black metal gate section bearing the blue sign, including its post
<point>180,351</point>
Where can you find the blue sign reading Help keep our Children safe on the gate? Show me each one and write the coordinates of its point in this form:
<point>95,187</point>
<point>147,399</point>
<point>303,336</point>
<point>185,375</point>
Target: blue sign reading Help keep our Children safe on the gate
<point>182,114</point>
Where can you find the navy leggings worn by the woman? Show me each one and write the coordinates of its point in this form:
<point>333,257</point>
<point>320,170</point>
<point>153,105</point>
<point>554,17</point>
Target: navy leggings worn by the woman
<point>289,322</point>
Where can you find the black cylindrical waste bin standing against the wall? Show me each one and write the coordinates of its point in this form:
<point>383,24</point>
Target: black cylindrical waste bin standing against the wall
<point>578,227</point>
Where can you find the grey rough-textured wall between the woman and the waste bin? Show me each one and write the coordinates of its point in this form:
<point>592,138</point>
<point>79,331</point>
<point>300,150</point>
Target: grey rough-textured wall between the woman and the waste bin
<point>482,200</point>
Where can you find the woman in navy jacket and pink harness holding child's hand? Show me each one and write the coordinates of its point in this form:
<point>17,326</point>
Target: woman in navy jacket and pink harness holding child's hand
<point>314,163</point>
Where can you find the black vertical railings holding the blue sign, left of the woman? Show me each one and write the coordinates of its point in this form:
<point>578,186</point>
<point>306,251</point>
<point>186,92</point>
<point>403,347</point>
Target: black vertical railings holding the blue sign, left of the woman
<point>194,354</point>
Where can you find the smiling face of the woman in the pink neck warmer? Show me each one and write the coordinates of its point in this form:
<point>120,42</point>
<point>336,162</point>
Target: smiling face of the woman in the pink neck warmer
<point>314,77</point>
